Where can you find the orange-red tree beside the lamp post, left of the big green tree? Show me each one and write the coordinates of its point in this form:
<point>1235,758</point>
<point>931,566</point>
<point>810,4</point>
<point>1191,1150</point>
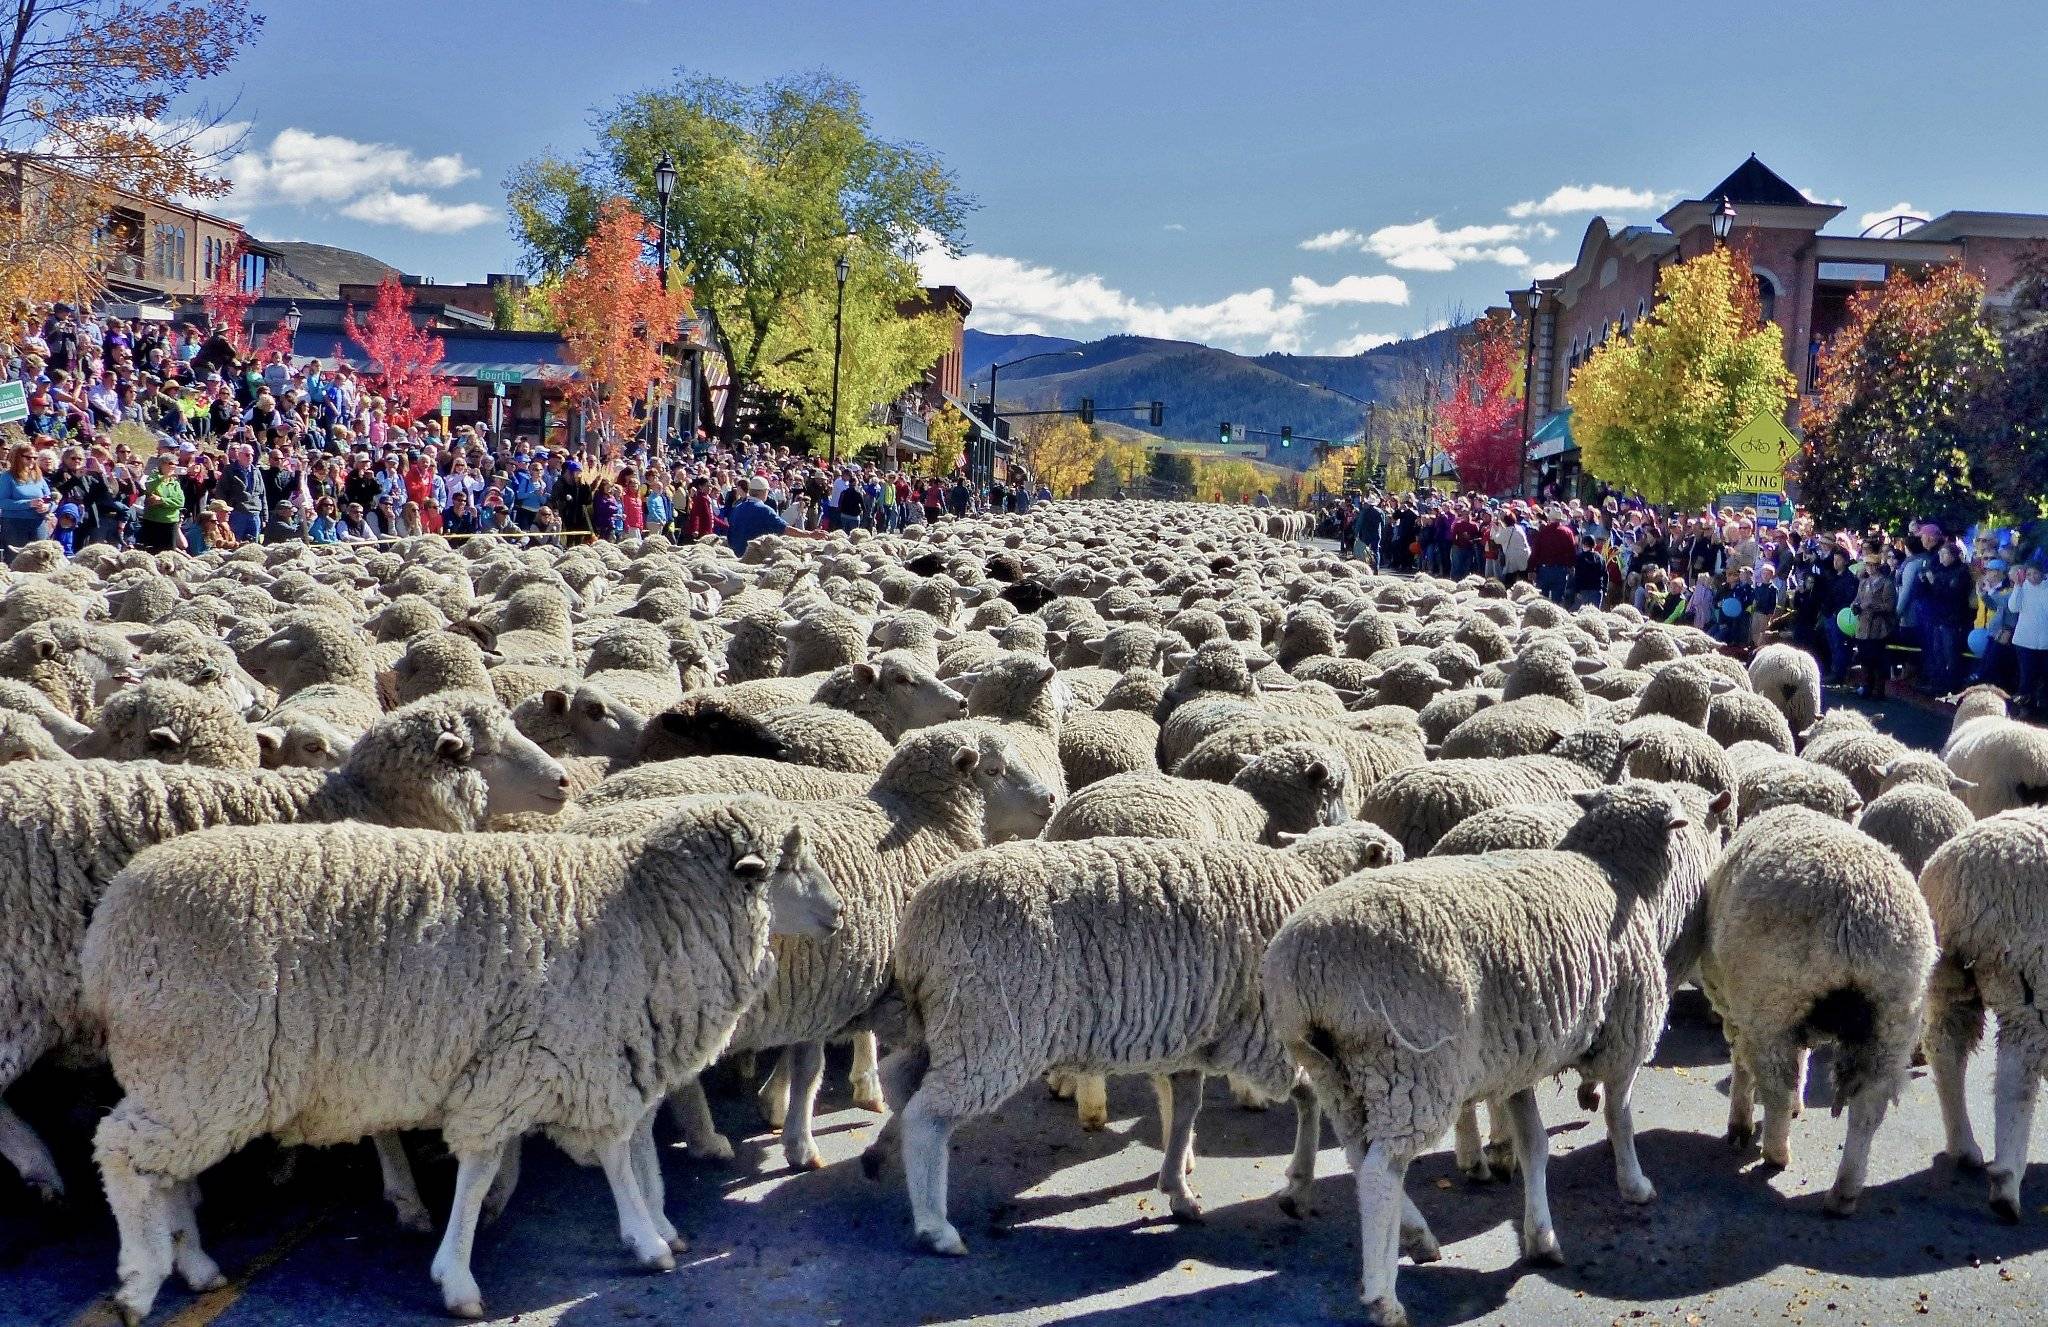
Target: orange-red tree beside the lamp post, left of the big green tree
<point>613,314</point>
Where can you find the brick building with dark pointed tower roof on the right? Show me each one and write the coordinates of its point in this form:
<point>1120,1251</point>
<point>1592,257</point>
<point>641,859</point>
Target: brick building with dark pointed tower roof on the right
<point>1805,282</point>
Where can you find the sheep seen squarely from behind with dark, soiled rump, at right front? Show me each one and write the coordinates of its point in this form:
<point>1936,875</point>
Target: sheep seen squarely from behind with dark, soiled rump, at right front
<point>1816,937</point>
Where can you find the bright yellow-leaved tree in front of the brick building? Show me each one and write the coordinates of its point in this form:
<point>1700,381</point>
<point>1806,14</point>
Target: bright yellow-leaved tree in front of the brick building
<point>1654,409</point>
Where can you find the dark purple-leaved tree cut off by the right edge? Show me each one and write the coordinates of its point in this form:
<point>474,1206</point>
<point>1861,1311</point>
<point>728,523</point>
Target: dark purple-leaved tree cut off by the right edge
<point>2012,409</point>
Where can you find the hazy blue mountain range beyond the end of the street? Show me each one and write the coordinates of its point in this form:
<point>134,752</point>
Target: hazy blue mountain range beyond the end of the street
<point>1201,386</point>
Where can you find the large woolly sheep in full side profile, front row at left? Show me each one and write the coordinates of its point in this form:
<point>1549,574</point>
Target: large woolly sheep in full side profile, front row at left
<point>296,982</point>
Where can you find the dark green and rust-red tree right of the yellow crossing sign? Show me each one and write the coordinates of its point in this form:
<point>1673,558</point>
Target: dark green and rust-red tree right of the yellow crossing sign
<point>1893,437</point>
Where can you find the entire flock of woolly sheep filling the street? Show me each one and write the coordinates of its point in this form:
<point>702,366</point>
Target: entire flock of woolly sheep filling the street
<point>316,845</point>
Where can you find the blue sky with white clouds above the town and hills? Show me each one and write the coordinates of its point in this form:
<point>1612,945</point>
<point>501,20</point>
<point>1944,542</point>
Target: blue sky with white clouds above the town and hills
<point>1281,177</point>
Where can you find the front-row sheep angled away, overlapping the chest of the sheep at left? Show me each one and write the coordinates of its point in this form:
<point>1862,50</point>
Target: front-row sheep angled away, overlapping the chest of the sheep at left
<point>1408,992</point>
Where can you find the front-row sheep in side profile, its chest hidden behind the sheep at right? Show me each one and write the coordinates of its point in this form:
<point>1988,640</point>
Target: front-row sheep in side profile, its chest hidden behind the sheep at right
<point>1113,955</point>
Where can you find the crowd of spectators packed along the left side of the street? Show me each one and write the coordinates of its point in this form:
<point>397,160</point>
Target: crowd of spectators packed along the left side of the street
<point>167,437</point>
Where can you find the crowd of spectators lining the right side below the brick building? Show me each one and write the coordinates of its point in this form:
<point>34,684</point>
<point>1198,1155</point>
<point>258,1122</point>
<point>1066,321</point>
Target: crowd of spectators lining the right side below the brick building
<point>1916,603</point>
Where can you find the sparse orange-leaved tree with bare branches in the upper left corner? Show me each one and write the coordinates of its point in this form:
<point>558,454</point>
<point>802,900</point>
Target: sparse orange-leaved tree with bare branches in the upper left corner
<point>85,114</point>
